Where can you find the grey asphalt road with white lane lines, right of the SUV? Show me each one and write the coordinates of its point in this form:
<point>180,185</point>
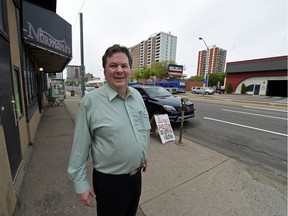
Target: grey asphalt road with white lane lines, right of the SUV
<point>254,134</point>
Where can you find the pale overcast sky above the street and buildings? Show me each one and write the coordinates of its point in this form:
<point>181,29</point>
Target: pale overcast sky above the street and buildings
<point>247,29</point>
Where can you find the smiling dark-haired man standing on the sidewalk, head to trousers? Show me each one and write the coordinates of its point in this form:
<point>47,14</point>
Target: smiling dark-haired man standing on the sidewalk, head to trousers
<point>112,122</point>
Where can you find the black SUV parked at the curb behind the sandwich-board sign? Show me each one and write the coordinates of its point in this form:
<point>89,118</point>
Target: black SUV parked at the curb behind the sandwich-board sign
<point>160,101</point>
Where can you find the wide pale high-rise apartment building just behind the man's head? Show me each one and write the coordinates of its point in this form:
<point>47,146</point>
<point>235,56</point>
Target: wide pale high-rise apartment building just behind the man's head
<point>158,47</point>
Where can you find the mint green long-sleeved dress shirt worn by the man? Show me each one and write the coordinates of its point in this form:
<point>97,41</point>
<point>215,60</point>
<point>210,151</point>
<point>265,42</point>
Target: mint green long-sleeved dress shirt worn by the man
<point>115,131</point>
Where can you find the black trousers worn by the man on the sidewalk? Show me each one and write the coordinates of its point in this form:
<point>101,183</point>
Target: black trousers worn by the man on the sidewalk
<point>117,195</point>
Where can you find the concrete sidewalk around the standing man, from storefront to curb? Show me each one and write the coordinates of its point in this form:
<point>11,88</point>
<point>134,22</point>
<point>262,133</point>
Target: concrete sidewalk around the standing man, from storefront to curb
<point>180,180</point>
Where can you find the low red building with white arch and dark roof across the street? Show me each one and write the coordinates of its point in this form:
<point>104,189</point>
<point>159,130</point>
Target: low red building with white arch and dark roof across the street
<point>266,76</point>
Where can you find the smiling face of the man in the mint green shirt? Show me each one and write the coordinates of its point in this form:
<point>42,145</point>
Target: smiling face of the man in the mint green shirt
<point>117,71</point>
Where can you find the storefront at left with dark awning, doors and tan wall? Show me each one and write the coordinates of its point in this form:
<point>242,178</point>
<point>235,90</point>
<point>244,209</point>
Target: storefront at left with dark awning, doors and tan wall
<point>34,41</point>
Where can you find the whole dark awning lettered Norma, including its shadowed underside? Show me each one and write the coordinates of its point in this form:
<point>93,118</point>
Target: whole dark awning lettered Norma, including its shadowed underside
<point>48,37</point>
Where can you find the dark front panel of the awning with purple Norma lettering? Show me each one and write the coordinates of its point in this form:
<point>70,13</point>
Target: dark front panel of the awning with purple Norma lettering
<point>46,29</point>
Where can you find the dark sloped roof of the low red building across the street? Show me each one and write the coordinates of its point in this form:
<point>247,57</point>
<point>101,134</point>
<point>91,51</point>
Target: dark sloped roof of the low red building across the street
<point>254,65</point>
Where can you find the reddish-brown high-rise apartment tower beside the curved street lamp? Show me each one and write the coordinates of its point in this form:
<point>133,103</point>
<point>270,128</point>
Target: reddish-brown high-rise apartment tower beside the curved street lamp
<point>216,61</point>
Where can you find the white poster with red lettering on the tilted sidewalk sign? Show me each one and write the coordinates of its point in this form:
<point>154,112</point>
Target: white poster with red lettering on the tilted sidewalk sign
<point>164,128</point>
